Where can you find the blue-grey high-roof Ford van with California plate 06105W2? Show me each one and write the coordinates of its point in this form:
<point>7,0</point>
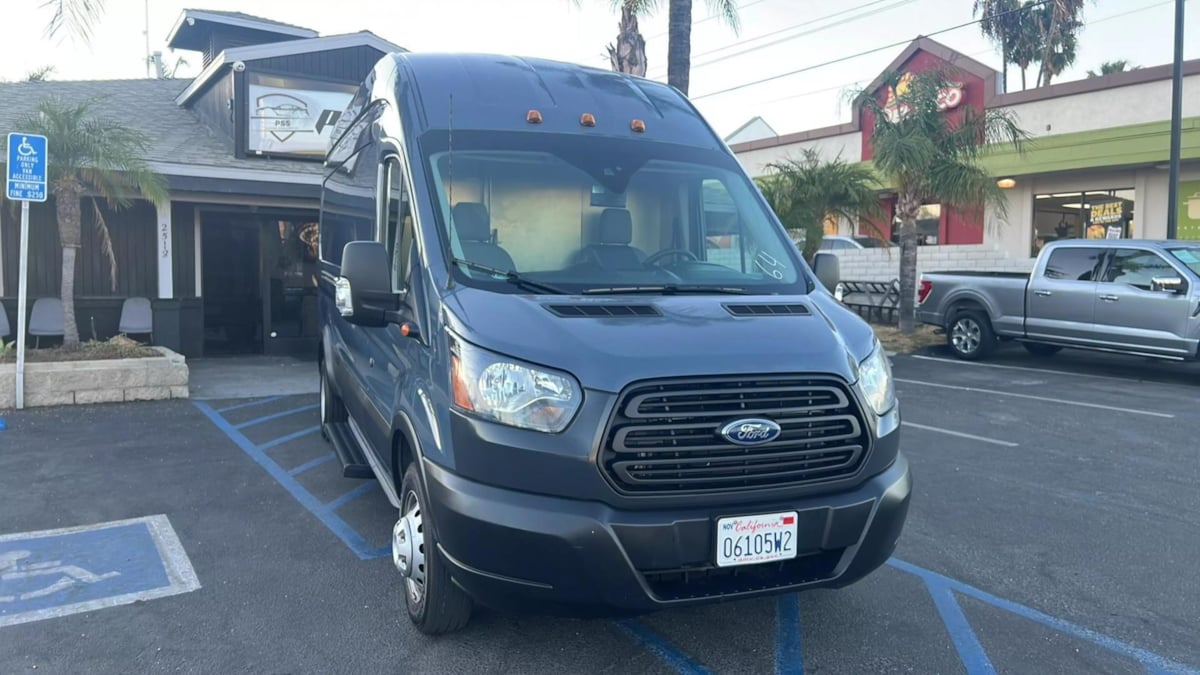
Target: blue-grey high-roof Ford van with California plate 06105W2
<point>587,385</point>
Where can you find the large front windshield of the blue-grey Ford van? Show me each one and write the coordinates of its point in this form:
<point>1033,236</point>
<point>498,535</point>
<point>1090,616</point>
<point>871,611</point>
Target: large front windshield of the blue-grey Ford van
<point>595,214</point>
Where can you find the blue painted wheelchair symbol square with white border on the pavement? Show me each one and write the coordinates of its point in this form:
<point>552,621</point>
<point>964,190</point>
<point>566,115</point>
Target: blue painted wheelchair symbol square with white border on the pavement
<point>59,572</point>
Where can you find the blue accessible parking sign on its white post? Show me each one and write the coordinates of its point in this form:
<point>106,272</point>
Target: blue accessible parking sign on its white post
<point>27,183</point>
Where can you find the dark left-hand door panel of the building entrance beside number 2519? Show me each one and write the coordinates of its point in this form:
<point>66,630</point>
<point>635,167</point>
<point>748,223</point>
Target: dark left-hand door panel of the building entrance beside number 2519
<point>233,297</point>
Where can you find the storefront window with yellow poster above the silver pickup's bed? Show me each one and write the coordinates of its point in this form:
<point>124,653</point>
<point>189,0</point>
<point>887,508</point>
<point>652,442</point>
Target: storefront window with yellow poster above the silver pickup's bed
<point>1093,214</point>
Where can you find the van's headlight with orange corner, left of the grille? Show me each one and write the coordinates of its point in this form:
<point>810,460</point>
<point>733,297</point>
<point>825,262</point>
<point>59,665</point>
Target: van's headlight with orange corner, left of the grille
<point>511,392</point>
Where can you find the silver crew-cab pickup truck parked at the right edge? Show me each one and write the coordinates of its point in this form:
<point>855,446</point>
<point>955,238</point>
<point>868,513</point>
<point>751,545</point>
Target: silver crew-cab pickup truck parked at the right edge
<point>1135,297</point>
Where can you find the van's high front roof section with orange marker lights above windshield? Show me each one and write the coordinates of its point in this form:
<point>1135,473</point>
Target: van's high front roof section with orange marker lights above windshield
<point>497,93</point>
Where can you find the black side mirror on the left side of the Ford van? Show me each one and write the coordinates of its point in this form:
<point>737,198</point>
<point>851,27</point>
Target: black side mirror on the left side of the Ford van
<point>363,294</point>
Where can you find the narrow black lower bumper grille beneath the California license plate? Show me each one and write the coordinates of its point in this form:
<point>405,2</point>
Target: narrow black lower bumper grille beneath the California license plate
<point>709,582</point>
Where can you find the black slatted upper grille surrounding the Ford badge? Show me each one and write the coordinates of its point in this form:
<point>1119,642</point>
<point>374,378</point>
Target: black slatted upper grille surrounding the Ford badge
<point>664,435</point>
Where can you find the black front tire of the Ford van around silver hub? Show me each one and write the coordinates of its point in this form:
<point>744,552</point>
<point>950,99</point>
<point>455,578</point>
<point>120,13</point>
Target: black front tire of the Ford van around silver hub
<point>436,605</point>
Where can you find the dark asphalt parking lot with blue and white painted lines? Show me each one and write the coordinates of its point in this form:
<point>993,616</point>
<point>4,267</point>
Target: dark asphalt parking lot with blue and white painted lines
<point>1055,528</point>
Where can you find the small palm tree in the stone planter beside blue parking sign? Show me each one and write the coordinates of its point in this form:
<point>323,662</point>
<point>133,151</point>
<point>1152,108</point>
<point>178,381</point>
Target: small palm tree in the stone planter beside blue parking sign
<point>89,158</point>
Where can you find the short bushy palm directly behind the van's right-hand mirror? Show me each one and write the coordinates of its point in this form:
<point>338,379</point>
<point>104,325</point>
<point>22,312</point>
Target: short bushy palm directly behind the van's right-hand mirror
<point>803,193</point>
